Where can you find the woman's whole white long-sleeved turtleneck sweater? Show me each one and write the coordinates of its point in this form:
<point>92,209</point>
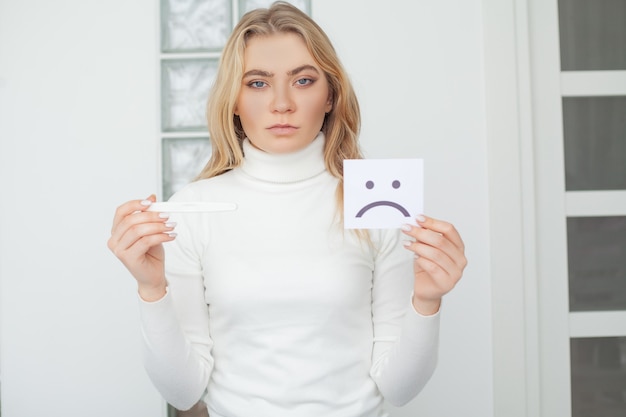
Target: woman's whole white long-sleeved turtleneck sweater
<point>275,310</point>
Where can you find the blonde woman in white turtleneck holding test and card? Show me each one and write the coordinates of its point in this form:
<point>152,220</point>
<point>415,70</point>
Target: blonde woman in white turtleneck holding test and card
<point>274,309</point>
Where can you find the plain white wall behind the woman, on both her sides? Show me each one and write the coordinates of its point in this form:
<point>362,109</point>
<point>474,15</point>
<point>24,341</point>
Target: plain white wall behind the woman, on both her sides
<point>79,135</point>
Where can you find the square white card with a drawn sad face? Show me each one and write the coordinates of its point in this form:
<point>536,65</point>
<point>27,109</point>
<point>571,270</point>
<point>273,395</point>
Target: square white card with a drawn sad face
<point>382,193</point>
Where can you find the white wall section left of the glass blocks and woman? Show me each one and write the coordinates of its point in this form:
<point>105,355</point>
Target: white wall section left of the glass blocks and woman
<point>78,124</point>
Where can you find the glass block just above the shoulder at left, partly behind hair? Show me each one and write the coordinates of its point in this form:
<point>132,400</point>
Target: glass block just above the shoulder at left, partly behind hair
<point>183,159</point>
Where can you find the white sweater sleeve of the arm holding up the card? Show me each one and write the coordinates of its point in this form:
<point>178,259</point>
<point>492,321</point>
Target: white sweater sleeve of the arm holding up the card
<point>405,342</point>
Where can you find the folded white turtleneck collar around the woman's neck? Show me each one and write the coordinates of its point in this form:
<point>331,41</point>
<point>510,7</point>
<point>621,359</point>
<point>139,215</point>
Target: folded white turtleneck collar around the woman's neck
<point>285,168</point>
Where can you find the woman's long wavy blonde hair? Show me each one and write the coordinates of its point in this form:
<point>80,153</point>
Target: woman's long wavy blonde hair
<point>341,125</point>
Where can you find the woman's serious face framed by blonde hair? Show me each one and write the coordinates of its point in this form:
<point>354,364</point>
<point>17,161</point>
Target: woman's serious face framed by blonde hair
<point>284,94</point>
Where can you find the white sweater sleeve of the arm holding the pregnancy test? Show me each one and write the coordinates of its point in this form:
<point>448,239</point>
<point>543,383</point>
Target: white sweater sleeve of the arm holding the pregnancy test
<point>176,340</point>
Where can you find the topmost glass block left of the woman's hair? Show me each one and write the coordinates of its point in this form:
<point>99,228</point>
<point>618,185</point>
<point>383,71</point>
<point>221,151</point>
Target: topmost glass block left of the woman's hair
<point>195,25</point>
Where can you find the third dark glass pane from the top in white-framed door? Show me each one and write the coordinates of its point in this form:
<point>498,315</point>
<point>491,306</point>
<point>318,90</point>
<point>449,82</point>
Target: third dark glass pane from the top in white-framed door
<point>597,263</point>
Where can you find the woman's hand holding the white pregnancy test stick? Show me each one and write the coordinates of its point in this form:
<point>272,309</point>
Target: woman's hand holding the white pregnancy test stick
<point>137,238</point>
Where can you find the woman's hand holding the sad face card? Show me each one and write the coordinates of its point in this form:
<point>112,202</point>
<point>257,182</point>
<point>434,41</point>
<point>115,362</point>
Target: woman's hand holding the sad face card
<point>439,261</point>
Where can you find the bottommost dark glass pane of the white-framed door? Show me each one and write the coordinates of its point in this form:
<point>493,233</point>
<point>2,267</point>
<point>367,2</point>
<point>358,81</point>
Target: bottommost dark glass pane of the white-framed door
<point>598,376</point>
